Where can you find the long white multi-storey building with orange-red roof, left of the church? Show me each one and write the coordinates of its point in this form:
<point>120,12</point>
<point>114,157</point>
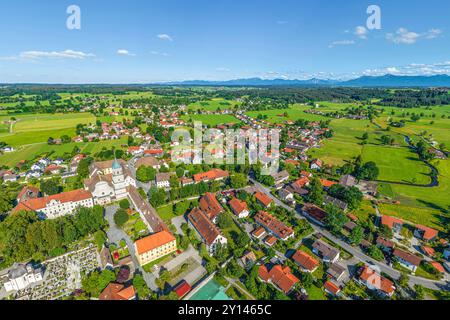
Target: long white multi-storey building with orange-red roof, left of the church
<point>57,205</point>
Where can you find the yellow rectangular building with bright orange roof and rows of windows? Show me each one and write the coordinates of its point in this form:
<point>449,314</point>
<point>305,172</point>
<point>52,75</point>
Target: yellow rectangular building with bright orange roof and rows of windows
<point>155,246</point>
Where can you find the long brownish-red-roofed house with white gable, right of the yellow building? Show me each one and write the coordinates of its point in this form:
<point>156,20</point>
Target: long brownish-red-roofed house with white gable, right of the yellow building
<point>209,233</point>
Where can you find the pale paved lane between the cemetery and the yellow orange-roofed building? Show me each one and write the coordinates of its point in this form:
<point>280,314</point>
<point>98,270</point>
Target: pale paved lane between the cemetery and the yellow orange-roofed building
<point>115,235</point>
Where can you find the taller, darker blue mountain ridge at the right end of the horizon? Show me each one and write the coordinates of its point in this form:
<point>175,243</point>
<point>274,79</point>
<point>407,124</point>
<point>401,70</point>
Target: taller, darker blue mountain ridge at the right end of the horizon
<point>390,80</point>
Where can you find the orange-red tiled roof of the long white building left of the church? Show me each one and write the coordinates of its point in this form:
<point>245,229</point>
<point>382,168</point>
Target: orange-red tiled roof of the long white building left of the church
<point>40,203</point>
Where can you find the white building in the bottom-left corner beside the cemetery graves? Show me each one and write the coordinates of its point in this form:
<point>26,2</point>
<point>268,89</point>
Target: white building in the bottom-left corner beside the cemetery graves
<point>21,276</point>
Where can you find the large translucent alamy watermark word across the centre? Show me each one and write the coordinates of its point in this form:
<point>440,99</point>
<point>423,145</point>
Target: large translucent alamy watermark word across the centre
<point>229,146</point>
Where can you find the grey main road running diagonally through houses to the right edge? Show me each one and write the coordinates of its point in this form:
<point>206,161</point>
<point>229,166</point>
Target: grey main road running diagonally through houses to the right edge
<point>357,253</point>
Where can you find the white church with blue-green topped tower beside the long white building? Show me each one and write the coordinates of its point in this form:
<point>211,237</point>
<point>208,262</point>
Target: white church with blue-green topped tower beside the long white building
<point>109,181</point>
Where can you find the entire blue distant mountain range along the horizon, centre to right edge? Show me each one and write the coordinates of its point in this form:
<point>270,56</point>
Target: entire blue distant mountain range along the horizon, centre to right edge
<point>366,81</point>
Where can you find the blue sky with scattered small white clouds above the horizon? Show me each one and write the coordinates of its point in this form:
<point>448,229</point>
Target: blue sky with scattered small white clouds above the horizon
<point>146,41</point>
